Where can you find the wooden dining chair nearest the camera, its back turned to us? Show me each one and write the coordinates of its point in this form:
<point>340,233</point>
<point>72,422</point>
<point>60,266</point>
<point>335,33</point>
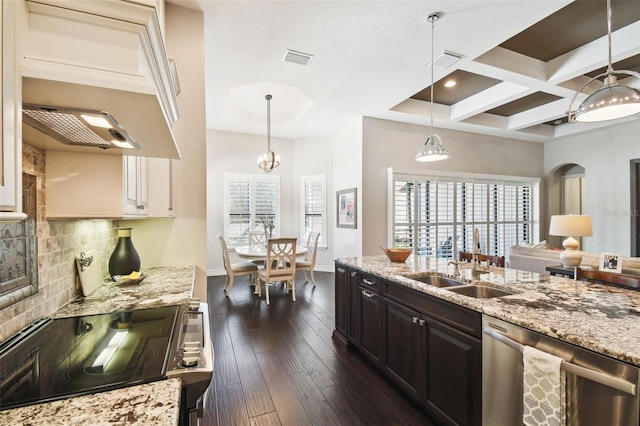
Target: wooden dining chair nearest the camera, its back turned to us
<point>279,266</point>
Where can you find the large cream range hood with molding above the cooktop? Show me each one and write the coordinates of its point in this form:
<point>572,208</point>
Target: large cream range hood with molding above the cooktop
<point>95,78</point>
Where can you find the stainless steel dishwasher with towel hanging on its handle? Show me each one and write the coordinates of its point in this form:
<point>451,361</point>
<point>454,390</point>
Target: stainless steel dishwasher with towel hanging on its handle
<point>600,391</point>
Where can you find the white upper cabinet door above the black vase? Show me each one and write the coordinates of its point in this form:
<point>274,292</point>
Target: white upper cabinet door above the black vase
<point>136,185</point>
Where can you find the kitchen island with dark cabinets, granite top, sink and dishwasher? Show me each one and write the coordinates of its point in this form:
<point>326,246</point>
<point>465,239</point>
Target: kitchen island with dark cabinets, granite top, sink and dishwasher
<point>427,328</point>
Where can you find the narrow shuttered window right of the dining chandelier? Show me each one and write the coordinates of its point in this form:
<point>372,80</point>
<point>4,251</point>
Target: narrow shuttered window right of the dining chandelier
<point>314,207</point>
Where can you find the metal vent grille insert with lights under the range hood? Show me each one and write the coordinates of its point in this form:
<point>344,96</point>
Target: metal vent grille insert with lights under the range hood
<point>78,127</point>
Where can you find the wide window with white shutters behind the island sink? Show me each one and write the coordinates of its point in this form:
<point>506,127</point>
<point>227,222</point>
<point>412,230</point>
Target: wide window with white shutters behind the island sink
<point>436,215</point>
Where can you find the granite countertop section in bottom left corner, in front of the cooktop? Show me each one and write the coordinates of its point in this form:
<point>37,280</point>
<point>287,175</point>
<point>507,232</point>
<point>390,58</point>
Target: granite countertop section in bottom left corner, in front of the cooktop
<point>151,404</point>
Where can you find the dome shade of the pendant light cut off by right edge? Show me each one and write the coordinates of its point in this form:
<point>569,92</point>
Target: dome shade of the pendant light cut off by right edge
<point>609,103</point>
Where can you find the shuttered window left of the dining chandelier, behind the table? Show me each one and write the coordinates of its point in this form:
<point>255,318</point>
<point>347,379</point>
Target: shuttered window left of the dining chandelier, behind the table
<point>250,200</point>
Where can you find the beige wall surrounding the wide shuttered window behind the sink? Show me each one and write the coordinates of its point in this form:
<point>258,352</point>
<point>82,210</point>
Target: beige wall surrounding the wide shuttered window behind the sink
<point>391,144</point>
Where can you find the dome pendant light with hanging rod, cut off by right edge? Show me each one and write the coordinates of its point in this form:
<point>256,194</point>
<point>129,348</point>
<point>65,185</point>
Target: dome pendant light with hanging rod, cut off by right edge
<point>611,101</point>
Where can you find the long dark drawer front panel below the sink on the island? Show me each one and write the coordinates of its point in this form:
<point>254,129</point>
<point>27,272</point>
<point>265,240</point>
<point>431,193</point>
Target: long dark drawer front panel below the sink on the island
<point>456,316</point>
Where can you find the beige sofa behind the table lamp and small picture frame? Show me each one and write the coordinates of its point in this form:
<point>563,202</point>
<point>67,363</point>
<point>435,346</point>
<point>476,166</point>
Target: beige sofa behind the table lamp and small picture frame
<point>536,258</point>
